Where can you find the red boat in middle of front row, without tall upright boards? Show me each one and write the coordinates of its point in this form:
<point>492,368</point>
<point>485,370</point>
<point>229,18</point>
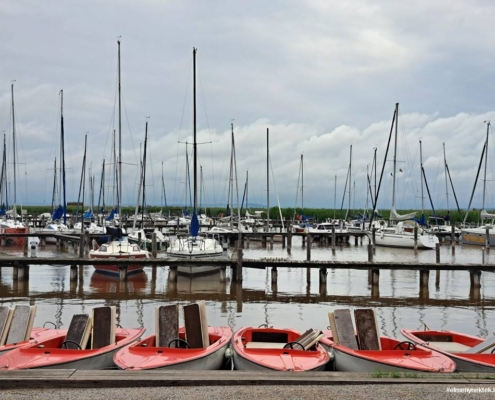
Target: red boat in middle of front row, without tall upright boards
<point>262,349</point>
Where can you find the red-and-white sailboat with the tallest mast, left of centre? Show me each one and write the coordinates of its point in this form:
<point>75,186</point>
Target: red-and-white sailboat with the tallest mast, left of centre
<point>118,248</point>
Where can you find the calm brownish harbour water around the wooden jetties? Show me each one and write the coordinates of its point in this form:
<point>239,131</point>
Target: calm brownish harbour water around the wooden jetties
<point>296,301</point>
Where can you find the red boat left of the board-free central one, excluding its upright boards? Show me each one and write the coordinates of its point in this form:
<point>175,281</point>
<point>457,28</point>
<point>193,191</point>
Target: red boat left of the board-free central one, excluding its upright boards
<point>145,355</point>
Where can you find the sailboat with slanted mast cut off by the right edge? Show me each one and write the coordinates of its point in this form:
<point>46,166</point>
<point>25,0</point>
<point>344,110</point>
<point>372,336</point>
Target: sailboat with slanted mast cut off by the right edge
<point>478,235</point>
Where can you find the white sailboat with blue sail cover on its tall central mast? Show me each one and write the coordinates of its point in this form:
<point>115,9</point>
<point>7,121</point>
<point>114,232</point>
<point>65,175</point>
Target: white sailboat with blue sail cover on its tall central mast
<point>191,245</point>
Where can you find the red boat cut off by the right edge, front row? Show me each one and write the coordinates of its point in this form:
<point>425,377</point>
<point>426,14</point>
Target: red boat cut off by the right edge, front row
<point>470,353</point>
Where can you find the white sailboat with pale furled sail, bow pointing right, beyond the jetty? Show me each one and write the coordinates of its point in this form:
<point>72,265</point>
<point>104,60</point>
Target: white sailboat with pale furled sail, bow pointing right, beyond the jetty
<point>399,232</point>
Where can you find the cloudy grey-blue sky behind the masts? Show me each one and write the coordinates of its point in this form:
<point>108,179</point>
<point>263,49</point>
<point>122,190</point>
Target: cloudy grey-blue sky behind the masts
<point>321,76</point>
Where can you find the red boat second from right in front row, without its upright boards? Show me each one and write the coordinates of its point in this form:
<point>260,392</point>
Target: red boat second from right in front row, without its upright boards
<point>393,356</point>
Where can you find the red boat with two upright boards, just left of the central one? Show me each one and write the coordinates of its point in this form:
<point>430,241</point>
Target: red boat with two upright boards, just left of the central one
<point>173,348</point>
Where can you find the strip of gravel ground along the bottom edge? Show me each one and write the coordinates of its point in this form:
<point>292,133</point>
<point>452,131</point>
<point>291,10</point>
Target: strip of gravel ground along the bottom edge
<point>367,392</point>
